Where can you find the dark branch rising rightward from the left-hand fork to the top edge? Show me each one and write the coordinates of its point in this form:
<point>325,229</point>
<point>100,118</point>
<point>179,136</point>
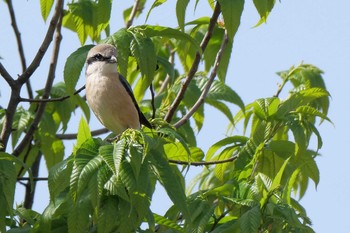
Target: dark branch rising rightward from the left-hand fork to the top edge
<point>45,44</point>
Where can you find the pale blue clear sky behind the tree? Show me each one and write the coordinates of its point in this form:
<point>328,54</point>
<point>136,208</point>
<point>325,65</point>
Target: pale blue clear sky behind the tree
<point>309,31</point>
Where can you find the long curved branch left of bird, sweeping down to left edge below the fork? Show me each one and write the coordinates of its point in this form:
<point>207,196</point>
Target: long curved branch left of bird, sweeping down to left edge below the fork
<point>51,76</point>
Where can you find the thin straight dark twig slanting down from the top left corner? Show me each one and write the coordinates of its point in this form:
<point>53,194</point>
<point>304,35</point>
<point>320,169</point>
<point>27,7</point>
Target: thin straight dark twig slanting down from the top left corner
<point>19,44</point>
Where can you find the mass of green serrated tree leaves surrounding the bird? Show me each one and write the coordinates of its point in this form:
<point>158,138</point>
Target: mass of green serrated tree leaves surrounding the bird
<point>250,183</point>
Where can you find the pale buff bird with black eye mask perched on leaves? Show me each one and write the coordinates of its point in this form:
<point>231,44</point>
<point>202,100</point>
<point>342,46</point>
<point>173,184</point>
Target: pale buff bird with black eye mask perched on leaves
<point>108,93</point>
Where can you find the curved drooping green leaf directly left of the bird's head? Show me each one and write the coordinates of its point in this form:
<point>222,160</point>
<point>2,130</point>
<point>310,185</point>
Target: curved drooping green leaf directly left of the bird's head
<point>73,66</point>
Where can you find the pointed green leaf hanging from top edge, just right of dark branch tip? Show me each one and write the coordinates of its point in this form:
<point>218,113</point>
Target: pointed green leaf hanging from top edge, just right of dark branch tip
<point>231,11</point>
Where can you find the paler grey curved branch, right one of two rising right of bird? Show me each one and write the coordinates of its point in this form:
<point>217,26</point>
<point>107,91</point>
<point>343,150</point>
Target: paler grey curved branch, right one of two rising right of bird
<point>212,76</point>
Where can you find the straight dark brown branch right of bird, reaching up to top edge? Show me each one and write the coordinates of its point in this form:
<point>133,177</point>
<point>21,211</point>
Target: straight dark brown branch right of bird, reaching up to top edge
<point>195,64</point>
